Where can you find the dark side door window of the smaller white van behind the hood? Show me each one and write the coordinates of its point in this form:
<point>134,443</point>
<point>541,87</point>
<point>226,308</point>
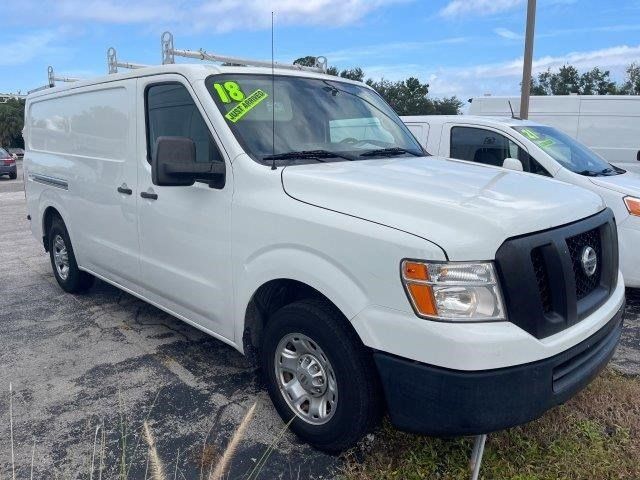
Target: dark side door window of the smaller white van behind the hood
<point>490,148</point>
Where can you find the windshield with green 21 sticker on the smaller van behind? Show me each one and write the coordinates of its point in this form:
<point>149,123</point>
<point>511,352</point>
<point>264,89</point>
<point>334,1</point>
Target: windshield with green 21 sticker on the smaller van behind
<point>570,153</point>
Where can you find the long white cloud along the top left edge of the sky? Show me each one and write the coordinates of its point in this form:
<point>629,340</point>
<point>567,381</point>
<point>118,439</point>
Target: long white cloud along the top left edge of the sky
<point>214,15</point>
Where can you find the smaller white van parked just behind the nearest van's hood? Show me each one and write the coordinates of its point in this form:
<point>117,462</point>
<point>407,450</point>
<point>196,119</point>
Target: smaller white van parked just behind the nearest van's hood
<point>543,150</point>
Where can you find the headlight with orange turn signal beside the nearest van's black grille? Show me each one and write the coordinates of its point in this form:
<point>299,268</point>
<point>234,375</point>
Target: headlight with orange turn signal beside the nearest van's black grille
<point>456,292</point>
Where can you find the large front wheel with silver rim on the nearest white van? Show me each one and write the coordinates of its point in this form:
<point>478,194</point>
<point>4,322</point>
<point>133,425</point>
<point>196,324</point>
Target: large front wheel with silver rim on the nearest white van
<point>320,376</point>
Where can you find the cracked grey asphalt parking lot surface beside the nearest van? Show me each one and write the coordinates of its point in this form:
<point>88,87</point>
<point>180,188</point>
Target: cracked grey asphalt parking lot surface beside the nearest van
<point>107,359</point>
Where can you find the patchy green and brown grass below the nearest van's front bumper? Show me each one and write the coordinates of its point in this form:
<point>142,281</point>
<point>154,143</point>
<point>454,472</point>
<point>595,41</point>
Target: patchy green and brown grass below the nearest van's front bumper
<point>595,436</point>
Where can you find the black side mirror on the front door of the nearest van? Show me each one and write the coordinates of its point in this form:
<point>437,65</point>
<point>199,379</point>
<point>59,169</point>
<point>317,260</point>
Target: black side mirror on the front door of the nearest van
<point>173,164</point>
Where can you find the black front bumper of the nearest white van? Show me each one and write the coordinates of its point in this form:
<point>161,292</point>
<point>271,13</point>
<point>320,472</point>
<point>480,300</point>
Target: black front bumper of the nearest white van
<point>442,402</point>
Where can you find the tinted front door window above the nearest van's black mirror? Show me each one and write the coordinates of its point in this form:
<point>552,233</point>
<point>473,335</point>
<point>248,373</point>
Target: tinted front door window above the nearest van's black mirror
<point>172,112</point>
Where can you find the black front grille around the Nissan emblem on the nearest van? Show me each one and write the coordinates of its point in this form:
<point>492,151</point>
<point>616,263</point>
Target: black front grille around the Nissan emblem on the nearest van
<point>544,283</point>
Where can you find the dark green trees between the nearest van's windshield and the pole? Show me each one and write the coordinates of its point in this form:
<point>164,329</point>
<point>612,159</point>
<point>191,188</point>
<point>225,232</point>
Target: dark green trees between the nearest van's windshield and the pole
<point>406,97</point>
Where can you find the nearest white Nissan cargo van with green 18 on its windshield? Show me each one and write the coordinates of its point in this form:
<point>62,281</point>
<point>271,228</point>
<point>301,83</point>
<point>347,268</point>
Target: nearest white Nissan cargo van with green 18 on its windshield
<point>360,275</point>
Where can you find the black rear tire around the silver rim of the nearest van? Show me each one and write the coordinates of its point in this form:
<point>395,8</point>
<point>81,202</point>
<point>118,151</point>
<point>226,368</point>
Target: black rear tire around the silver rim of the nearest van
<point>75,280</point>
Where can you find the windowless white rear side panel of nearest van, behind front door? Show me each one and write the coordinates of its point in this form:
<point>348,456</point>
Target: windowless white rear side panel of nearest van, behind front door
<point>85,138</point>
